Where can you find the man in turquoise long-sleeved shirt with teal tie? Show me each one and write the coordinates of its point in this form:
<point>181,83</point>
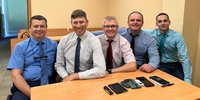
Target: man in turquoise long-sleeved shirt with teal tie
<point>172,48</point>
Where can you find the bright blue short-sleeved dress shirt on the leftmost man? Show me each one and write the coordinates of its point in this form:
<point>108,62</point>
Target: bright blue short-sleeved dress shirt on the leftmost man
<point>23,55</point>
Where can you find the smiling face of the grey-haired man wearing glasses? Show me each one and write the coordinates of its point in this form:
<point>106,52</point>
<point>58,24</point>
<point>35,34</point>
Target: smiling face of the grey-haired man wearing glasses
<point>110,28</point>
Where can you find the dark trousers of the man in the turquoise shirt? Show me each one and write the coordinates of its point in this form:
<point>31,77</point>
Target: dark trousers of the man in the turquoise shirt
<point>174,69</point>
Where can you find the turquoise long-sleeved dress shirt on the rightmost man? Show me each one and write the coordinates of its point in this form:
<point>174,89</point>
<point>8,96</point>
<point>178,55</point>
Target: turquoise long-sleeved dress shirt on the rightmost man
<point>174,50</point>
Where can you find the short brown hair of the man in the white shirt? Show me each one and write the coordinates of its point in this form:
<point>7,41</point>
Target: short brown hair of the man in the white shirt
<point>78,13</point>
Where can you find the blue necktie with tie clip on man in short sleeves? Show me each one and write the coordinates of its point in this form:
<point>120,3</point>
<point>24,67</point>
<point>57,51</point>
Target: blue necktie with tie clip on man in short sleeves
<point>43,61</point>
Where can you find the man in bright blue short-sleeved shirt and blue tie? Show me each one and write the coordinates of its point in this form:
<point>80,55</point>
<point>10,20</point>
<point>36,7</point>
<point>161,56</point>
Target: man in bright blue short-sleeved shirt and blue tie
<point>25,61</point>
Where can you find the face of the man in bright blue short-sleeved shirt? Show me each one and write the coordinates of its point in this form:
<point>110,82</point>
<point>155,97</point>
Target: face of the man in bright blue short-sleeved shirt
<point>38,29</point>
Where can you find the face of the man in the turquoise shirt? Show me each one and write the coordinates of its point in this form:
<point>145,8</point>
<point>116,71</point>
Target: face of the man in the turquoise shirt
<point>163,23</point>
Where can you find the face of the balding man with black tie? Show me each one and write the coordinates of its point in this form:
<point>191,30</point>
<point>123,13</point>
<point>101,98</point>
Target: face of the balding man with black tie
<point>135,22</point>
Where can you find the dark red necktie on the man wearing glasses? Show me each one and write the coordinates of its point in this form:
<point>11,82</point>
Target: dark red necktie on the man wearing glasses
<point>109,61</point>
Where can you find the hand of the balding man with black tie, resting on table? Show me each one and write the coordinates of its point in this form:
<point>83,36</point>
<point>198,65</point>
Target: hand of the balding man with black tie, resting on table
<point>147,68</point>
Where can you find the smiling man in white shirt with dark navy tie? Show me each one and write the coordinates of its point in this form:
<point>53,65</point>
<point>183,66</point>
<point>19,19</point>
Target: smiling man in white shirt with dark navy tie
<point>91,63</point>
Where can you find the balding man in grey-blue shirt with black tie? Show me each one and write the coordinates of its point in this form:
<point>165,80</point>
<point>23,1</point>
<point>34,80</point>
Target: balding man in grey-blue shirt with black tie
<point>143,45</point>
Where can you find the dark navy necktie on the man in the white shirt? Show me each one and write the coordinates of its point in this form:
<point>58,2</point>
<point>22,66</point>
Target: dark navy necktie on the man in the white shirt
<point>77,56</point>
